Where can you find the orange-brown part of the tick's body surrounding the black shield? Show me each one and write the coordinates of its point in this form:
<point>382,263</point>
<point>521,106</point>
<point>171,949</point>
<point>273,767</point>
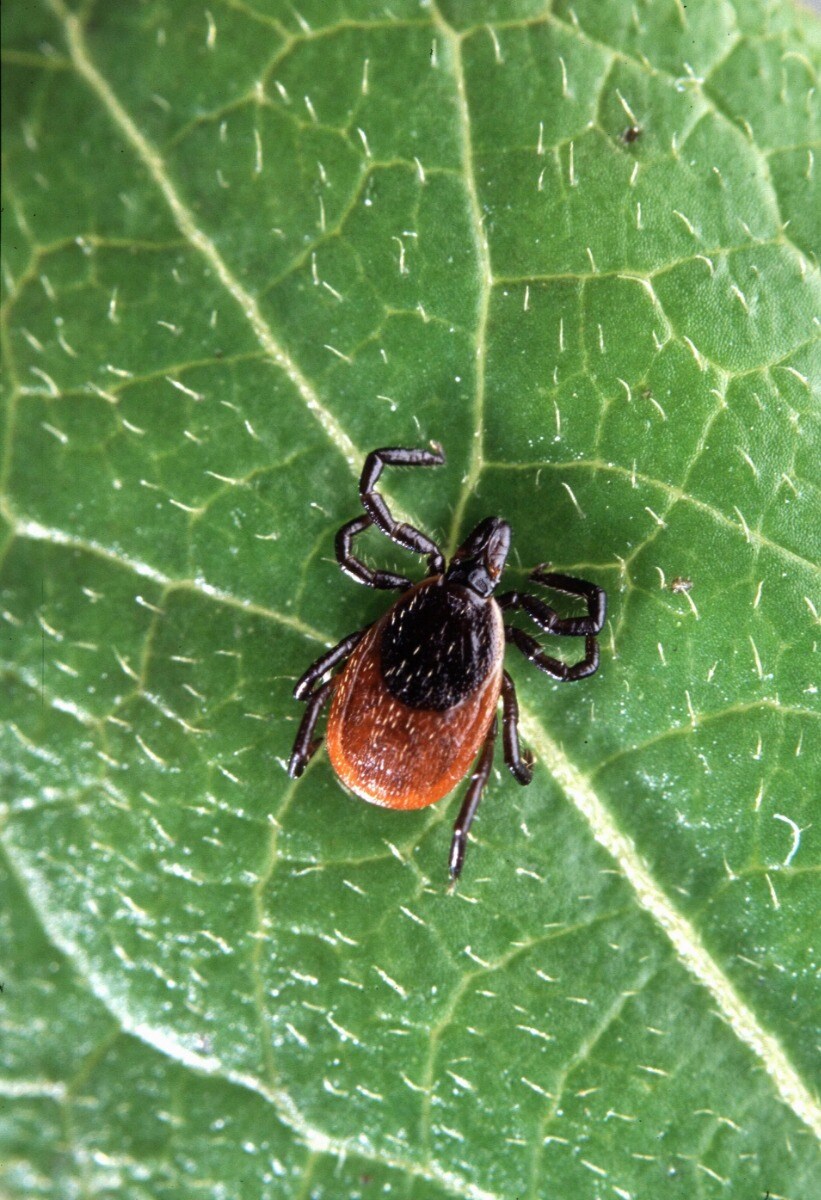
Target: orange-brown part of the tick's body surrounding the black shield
<point>400,757</point>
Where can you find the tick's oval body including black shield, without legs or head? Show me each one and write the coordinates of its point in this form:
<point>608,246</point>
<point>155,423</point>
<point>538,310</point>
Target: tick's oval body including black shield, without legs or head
<point>414,706</point>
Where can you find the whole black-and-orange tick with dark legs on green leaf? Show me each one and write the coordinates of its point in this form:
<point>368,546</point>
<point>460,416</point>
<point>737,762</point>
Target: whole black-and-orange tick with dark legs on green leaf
<point>416,703</point>
